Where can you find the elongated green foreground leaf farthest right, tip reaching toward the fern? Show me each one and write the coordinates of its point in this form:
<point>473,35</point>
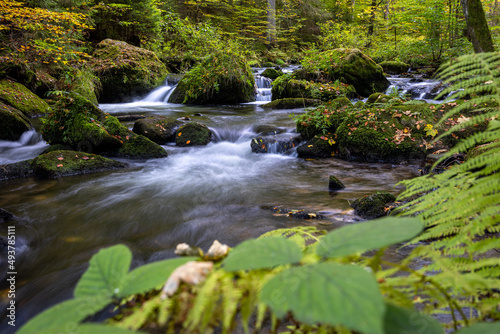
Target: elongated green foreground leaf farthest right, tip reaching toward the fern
<point>362,237</point>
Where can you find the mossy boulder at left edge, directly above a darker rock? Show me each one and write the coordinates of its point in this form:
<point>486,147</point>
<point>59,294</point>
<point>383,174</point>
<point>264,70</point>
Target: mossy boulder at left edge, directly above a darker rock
<point>21,98</point>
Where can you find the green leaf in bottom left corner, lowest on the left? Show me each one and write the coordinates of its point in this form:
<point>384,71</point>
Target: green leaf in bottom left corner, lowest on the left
<point>64,316</point>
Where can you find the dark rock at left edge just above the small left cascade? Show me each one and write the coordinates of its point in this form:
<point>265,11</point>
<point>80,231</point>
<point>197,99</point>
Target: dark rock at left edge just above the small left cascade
<point>12,123</point>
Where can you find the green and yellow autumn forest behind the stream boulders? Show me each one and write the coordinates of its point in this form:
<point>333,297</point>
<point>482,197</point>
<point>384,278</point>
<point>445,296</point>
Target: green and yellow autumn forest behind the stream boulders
<point>59,34</point>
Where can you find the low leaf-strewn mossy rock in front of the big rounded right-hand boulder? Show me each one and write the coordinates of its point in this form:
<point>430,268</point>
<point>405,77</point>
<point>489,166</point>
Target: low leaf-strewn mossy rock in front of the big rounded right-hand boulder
<point>287,86</point>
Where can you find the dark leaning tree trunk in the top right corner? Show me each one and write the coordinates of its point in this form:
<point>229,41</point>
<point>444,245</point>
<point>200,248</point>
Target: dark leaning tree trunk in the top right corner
<point>477,32</point>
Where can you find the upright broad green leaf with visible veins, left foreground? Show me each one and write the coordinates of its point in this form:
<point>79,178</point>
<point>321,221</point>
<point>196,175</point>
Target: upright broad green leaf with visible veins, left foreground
<point>106,273</point>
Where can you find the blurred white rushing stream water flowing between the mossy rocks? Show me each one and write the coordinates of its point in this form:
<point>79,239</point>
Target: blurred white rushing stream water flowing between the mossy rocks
<point>196,195</point>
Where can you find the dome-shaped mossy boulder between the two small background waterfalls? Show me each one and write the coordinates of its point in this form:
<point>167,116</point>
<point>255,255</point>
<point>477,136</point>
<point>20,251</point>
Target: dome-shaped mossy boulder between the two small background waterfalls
<point>221,78</point>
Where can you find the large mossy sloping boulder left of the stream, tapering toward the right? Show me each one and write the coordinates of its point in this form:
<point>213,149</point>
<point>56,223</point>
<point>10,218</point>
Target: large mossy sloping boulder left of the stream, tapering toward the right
<point>80,125</point>
